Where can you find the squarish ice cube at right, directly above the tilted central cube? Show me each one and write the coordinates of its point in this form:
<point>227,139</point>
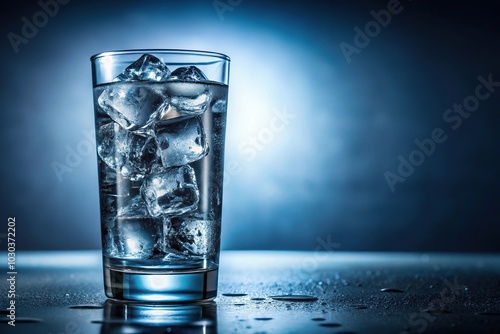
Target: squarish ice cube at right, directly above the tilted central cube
<point>181,140</point>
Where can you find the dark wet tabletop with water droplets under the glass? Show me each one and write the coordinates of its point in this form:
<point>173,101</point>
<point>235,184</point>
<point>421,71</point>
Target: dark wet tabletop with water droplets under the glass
<point>268,292</point>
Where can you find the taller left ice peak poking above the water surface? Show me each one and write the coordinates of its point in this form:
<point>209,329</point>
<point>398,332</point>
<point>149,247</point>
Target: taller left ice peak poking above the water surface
<point>146,68</point>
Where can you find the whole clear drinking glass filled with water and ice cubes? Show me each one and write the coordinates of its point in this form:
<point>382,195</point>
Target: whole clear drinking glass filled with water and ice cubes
<point>160,118</point>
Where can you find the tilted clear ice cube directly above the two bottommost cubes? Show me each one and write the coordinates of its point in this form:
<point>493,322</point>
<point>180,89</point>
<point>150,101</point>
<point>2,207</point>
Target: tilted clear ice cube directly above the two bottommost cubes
<point>173,192</point>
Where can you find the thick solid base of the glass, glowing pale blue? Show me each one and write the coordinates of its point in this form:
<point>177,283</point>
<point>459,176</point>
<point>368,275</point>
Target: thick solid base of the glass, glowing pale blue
<point>160,286</point>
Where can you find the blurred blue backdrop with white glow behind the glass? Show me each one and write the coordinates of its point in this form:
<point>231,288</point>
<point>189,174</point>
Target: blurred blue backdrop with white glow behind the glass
<point>320,174</point>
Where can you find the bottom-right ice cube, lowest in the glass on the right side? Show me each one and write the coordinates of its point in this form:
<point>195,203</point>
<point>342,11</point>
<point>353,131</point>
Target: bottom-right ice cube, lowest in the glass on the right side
<point>194,236</point>
